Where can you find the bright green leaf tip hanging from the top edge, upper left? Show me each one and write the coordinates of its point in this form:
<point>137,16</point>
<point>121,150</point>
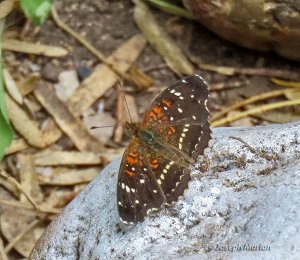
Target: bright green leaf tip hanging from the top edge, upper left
<point>36,10</point>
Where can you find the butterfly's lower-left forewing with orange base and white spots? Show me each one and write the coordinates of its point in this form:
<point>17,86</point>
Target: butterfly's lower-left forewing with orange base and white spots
<point>138,190</point>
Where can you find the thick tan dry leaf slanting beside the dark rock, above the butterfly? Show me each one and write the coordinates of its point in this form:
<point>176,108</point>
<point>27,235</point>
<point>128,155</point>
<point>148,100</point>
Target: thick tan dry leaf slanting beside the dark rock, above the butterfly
<point>160,40</point>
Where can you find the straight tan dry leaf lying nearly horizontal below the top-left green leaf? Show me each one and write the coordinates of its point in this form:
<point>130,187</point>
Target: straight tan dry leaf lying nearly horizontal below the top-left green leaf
<point>33,48</point>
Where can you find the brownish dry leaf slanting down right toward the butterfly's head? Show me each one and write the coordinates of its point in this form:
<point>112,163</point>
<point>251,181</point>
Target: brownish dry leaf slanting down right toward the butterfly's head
<point>69,124</point>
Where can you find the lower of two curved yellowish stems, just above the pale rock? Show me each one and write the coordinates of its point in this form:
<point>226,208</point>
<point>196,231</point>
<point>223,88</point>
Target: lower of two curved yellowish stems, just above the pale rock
<point>254,111</point>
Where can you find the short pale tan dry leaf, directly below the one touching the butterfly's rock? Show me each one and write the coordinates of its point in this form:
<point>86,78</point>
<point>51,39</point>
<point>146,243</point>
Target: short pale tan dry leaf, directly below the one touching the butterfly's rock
<point>68,176</point>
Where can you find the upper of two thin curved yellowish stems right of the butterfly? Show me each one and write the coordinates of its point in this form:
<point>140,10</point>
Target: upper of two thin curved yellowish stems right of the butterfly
<point>248,101</point>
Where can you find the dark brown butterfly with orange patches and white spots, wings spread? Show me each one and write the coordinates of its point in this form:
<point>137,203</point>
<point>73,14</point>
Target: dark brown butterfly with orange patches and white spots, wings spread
<point>155,168</point>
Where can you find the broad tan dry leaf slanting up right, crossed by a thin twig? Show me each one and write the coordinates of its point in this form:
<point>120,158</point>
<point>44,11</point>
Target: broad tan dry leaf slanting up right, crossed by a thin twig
<point>103,77</point>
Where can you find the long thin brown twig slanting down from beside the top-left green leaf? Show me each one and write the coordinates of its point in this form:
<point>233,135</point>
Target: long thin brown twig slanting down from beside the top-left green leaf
<point>86,44</point>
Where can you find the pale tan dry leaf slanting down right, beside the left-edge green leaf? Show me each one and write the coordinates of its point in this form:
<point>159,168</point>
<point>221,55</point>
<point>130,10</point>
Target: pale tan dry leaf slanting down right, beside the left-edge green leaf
<point>22,123</point>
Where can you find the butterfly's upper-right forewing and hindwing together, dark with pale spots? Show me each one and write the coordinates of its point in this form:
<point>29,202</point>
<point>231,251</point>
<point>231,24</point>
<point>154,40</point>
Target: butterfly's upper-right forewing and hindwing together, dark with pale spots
<point>179,116</point>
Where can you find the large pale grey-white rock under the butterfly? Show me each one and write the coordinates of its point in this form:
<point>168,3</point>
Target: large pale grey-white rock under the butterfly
<point>246,205</point>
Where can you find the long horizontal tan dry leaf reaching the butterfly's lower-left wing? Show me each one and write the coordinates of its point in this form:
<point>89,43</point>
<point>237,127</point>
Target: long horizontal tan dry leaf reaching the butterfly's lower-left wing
<point>54,158</point>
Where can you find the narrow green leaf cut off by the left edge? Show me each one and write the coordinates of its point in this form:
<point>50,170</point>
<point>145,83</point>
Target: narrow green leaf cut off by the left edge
<point>6,131</point>
